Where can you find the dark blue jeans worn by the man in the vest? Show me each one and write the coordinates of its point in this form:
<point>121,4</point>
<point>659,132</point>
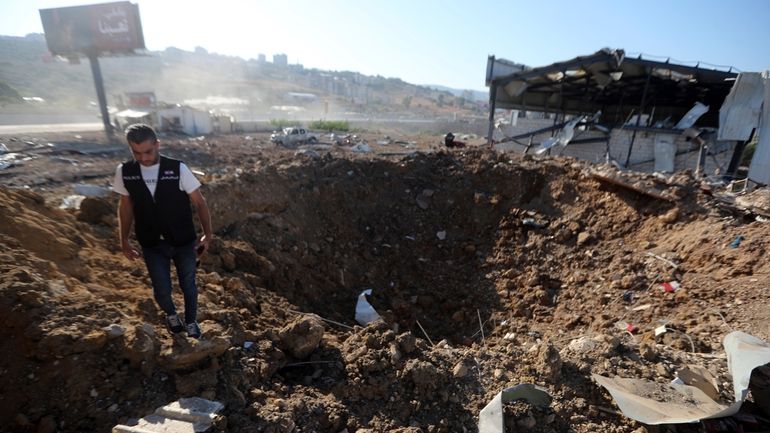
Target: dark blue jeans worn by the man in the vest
<point>158,260</point>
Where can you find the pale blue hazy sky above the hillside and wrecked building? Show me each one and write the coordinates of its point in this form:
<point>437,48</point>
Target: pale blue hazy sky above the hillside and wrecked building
<point>443,42</point>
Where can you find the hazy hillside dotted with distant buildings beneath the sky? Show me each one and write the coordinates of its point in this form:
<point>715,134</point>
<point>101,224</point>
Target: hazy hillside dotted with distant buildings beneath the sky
<point>176,75</point>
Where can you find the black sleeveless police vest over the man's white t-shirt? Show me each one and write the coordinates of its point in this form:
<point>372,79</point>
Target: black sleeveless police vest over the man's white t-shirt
<point>168,213</point>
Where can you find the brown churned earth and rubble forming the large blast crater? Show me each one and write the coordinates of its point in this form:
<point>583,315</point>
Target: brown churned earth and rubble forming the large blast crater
<point>488,271</point>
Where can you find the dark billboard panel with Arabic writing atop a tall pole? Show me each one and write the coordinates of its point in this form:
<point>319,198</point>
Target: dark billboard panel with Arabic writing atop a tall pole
<point>93,29</point>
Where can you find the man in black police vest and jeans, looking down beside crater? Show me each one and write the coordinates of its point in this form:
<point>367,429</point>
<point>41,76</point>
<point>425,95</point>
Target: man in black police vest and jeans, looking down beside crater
<point>155,195</point>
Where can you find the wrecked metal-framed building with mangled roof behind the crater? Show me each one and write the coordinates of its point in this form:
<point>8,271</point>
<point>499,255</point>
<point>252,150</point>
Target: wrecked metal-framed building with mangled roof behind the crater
<point>637,113</point>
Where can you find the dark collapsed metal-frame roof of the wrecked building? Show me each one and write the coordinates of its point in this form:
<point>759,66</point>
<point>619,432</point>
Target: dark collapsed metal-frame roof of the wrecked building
<point>609,81</point>
